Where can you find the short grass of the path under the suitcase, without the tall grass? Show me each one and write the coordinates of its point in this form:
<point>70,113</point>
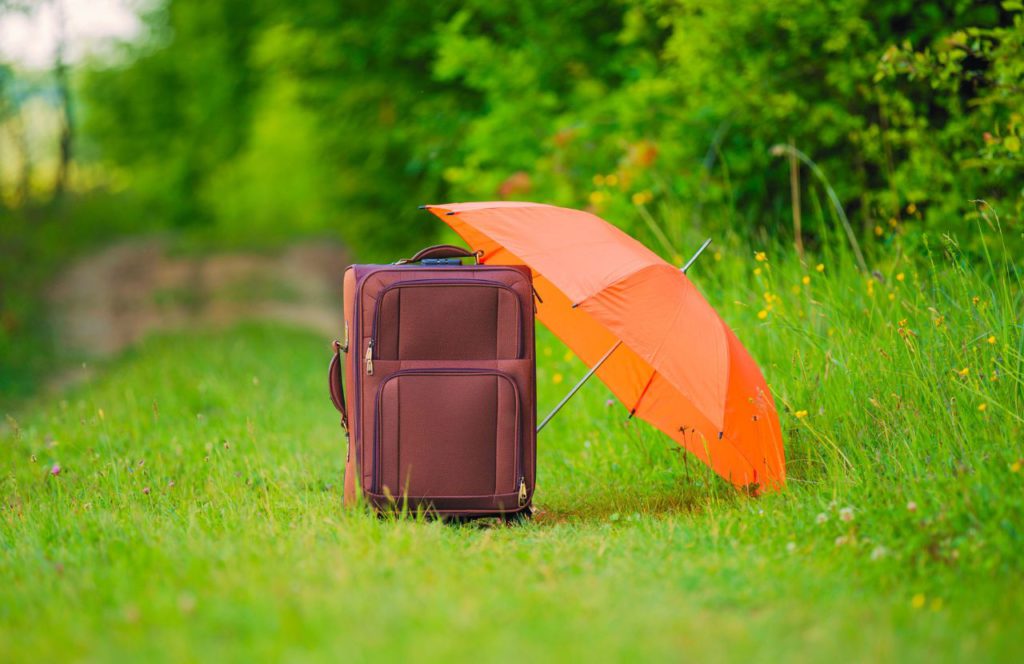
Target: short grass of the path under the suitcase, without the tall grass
<point>197,516</point>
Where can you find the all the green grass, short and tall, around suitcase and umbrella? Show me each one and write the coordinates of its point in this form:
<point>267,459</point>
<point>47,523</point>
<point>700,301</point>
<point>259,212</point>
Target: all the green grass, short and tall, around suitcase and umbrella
<point>241,549</point>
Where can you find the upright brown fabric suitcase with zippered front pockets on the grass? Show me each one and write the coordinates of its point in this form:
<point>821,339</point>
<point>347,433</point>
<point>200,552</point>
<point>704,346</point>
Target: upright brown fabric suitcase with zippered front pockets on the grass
<point>440,381</point>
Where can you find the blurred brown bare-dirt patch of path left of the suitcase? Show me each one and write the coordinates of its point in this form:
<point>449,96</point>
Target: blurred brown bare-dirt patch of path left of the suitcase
<point>107,302</point>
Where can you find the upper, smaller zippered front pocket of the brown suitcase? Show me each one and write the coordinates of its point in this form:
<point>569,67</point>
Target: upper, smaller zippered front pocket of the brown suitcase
<point>446,319</point>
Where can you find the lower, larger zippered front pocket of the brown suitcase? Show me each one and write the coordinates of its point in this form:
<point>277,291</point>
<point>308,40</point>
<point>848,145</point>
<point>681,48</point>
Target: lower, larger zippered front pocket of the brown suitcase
<point>446,433</point>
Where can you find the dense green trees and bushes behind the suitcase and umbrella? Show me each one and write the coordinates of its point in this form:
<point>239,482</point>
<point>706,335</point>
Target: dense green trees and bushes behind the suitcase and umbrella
<point>254,117</point>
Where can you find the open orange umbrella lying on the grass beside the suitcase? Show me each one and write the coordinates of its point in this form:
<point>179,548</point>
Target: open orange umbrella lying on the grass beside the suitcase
<point>673,361</point>
